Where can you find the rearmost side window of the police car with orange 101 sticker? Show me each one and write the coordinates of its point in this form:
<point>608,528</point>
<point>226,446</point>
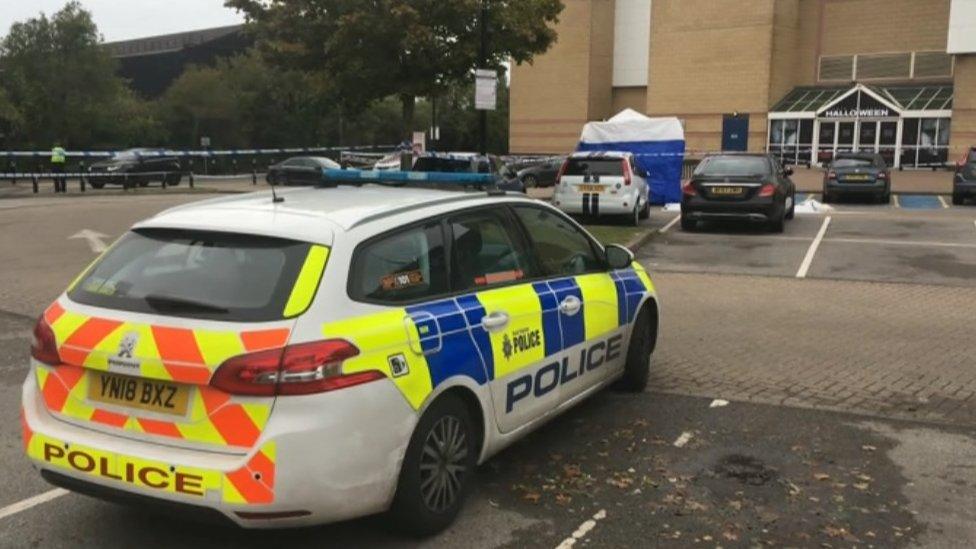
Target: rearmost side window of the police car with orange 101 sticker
<point>404,266</point>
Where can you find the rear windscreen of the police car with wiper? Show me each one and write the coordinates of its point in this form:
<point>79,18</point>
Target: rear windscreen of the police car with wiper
<point>195,274</point>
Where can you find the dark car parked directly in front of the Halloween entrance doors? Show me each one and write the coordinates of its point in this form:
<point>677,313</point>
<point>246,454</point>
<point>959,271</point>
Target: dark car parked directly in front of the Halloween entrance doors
<point>857,173</point>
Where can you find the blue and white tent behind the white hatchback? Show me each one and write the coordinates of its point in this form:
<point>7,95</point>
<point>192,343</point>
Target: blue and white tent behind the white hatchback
<point>657,143</point>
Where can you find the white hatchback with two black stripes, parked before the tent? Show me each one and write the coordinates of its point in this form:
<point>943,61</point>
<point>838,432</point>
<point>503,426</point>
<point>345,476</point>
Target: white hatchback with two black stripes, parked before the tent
<point>603,183</point>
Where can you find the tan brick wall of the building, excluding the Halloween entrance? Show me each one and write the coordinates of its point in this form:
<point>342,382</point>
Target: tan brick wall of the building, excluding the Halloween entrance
<point>712,57</point>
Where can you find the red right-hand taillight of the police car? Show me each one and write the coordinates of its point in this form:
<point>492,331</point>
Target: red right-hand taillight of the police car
<point>300,369</point>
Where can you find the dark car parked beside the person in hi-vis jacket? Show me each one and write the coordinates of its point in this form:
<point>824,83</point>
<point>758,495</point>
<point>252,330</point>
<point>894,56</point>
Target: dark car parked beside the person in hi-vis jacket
<point>136,167</point>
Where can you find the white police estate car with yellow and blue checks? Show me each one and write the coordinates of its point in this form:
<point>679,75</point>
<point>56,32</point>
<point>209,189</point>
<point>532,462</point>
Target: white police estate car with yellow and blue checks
<point>328,353</point>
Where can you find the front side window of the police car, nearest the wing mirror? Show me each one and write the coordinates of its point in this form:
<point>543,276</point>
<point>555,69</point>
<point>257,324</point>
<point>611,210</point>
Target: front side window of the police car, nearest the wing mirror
<point>561,249</point>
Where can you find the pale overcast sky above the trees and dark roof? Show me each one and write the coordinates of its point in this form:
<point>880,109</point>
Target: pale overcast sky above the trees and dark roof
<point>124,19</point>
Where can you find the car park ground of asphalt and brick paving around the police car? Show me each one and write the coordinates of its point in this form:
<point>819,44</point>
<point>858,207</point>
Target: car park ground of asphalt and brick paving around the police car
<point>837,409</point>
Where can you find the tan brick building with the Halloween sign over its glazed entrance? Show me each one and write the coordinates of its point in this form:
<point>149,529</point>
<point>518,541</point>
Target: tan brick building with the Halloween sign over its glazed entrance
<point>801,78</point>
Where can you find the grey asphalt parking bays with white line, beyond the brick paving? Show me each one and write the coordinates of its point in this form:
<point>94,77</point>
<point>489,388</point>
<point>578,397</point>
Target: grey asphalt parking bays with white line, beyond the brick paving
<point>915,240</point>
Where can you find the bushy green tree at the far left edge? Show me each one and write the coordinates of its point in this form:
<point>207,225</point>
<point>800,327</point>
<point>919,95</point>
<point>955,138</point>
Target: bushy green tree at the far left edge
<point>61,85</point>
